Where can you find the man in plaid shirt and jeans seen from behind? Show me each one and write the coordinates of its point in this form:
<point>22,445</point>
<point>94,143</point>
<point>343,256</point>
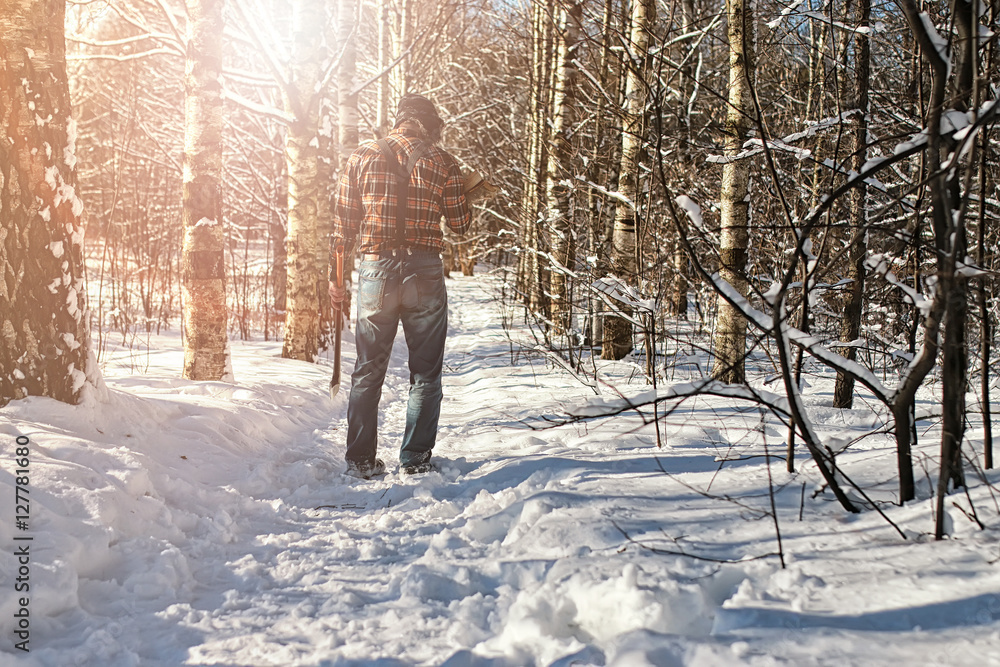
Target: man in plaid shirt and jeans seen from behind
<point>390,200</point>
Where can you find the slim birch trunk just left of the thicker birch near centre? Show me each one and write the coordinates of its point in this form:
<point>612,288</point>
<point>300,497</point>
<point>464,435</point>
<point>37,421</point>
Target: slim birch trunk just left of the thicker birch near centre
<point>559,172</point>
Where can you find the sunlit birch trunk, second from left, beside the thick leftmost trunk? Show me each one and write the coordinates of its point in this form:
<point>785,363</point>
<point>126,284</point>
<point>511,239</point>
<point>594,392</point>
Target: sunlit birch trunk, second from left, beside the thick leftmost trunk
<point>206,340</point>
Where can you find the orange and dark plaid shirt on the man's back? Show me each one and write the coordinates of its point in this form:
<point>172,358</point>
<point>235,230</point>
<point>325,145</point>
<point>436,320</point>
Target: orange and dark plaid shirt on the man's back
<point>365,202</point>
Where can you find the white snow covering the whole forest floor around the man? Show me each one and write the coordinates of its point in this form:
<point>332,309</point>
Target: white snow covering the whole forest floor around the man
<point>186,523</point>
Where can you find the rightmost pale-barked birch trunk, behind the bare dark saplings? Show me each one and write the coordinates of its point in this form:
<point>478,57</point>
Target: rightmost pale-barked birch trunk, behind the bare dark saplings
<point>729,340</point>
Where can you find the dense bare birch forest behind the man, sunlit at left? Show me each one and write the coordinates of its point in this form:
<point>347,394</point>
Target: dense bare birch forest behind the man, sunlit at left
<point>788,188</point>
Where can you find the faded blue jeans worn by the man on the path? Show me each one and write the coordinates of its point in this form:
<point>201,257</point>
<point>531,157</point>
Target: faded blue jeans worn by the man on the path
<point>408,289</point>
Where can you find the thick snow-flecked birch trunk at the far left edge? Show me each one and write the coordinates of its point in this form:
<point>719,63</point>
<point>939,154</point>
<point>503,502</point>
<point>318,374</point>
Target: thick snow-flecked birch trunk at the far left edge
<point>45,348</point>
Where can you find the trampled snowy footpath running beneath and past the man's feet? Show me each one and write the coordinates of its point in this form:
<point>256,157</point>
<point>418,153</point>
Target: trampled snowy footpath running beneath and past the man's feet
<point>354,557</point>
